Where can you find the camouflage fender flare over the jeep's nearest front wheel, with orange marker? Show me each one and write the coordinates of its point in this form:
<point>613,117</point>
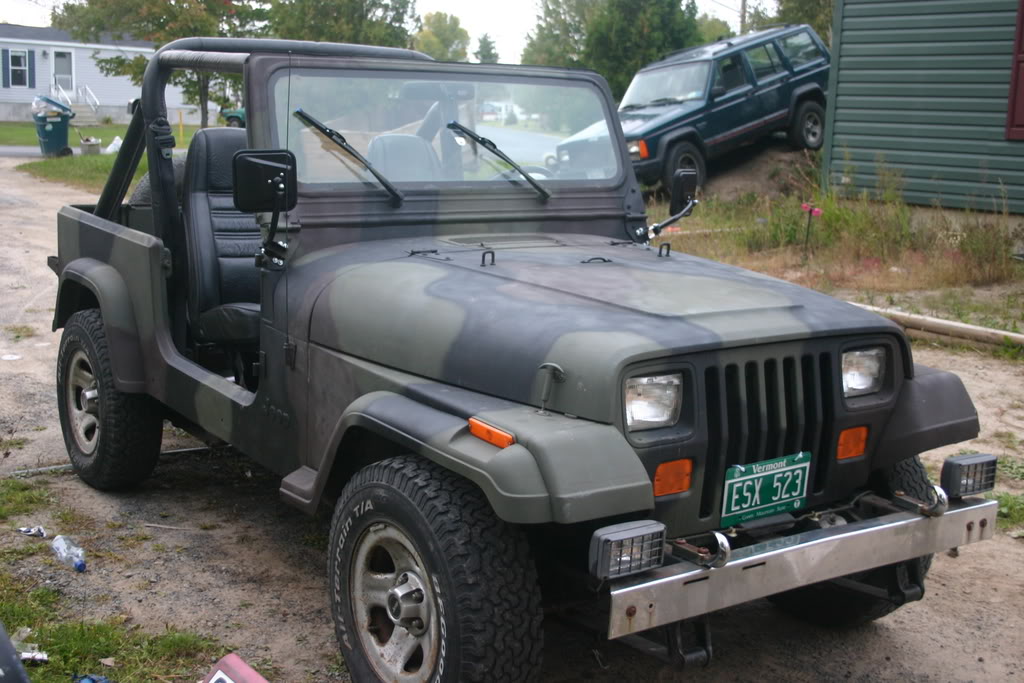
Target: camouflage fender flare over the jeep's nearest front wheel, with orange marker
<point>553,477</point>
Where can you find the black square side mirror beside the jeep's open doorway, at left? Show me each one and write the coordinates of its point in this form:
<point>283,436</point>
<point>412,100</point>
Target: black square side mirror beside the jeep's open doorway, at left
<point>265,181</point>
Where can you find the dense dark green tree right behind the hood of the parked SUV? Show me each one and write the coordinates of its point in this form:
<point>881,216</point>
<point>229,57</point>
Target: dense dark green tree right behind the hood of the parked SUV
<point>624,35</point>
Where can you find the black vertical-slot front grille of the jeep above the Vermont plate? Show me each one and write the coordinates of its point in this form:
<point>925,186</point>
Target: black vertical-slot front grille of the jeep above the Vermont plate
<point>761,410</point>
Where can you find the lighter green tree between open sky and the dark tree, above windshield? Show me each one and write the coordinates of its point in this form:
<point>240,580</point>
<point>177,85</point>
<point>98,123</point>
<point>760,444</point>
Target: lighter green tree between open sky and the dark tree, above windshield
<point>559,38</point>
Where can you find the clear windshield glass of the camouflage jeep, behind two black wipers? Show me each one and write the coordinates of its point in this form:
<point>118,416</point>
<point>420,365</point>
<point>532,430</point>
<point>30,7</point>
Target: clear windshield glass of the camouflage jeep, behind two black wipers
<point>400,122</point>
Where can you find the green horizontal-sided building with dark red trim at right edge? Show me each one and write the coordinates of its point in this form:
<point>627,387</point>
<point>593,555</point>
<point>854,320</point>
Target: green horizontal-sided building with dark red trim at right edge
<point>929,93</point>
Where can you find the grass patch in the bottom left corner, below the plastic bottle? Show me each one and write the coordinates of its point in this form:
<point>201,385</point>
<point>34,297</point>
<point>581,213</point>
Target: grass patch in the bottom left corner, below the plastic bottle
<point>77,647</point>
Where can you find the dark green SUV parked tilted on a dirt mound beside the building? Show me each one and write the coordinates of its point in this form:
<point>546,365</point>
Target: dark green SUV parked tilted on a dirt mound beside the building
<point>704,102</point>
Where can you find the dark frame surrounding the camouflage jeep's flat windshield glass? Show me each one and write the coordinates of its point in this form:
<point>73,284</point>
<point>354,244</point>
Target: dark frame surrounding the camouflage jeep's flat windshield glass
<point>268,69</point>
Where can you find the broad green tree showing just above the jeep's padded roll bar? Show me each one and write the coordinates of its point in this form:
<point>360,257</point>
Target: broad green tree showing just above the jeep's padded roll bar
<point>387,23</point>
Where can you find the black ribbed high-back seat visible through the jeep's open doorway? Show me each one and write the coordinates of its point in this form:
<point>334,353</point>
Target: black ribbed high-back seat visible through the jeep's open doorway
<point>221,242</point>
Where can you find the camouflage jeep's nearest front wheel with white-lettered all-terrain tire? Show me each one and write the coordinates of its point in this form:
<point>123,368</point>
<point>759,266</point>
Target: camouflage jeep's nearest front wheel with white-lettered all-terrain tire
<point>428,584</point>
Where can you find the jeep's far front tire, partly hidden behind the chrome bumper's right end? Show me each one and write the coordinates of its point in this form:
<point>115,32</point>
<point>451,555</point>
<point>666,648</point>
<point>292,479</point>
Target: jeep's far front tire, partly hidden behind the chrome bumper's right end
<point>827,605</point>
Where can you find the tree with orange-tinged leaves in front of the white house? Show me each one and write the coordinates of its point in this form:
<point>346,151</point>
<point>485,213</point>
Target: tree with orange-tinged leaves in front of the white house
<point>160,23</point>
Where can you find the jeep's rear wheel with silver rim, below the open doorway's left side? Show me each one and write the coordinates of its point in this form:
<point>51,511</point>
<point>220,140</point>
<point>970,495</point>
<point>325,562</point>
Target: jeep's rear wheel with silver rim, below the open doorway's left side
<point>113,439</point>
